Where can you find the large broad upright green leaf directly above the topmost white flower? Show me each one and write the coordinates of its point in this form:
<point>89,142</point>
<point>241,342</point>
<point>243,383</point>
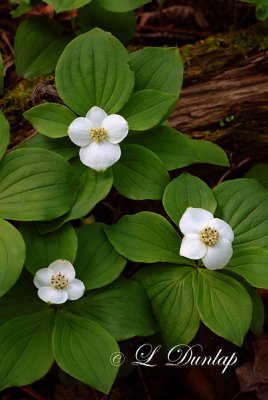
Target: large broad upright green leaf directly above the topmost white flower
<point>93,71</point>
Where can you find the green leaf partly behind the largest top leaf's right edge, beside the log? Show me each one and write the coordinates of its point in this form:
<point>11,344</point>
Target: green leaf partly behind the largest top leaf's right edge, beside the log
<point>157,68</point>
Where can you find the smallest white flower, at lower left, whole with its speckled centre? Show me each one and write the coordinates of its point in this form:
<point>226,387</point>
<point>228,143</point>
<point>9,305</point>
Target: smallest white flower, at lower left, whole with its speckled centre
<point>57,283</point>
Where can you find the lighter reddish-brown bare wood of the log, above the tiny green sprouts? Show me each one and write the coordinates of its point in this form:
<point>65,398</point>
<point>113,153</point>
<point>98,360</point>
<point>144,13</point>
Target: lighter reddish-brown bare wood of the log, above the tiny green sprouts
<point>240,92</point>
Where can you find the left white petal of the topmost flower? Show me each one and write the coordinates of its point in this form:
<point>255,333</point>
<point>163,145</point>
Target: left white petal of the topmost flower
<point>79,131</point>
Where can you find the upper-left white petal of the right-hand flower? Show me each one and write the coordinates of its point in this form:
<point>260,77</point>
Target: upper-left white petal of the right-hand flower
<point>194,220</point>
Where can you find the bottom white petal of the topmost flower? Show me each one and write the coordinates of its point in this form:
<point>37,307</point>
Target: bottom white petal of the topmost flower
<point>100,156</point>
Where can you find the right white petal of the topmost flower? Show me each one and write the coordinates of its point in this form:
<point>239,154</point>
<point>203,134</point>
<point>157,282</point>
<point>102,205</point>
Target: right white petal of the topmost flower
<point>116,128</point>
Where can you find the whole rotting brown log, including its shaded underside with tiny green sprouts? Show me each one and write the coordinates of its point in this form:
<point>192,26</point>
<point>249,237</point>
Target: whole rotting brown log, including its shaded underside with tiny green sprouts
<point>225,95</point>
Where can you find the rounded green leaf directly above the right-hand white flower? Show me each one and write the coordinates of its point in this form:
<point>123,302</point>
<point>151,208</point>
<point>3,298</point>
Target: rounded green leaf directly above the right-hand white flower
<point>187,191</point>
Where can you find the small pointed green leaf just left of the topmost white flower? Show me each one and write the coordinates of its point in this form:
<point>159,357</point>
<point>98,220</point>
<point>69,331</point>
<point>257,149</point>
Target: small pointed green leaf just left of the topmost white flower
<point>50,119</point>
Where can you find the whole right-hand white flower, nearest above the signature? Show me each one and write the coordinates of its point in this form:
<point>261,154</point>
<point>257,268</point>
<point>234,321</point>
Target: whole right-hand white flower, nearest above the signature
<point>206,237</point>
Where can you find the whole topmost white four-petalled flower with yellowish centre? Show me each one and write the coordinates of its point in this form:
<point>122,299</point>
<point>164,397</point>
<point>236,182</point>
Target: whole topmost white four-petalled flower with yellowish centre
<point>98,135</point>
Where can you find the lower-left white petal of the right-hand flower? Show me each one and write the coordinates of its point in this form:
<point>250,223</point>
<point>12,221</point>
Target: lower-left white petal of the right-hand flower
<point>192,247</point>
